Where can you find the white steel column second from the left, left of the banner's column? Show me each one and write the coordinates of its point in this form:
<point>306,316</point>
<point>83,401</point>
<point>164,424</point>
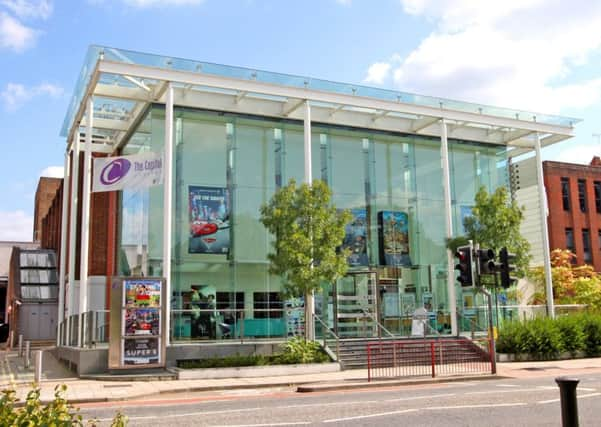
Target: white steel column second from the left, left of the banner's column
<point>73,229</point>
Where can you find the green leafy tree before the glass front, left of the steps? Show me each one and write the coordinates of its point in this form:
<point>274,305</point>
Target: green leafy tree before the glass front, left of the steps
<point>308,231</point>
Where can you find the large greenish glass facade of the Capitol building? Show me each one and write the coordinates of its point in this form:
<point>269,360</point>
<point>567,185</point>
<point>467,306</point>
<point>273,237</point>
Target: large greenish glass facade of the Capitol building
<point>226,166</point>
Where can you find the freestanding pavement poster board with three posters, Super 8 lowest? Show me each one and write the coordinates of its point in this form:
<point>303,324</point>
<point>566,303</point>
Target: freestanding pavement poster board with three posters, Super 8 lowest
<point>137,323</point>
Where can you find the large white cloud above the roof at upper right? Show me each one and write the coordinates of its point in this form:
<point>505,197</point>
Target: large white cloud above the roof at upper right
<point>515,53</point>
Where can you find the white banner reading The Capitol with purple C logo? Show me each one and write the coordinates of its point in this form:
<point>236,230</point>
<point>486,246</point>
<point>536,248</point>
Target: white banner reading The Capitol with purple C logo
<point>127,172</point>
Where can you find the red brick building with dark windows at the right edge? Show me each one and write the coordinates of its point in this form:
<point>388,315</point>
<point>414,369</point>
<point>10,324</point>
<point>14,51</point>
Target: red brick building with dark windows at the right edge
<point>574,201</point>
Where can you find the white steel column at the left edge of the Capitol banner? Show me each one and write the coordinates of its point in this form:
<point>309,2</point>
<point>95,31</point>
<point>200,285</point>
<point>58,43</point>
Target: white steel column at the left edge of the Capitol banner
<point>85,223</point>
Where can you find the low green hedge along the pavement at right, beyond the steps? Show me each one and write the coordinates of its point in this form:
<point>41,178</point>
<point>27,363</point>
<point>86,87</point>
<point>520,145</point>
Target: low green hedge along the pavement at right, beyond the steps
<point>547,338</point>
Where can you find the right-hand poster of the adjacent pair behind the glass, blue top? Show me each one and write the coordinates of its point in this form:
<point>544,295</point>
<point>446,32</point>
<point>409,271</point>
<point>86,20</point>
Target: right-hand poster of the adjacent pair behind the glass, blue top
<point>393,233</point>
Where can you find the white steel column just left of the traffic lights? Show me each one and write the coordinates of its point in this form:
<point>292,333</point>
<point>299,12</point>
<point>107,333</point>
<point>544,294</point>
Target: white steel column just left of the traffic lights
<point>446,185</point>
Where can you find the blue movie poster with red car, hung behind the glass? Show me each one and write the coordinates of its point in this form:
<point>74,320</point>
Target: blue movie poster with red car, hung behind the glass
<point>209,213</point>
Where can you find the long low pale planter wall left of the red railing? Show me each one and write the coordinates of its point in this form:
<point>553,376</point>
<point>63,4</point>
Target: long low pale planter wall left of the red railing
<point>256,371</point>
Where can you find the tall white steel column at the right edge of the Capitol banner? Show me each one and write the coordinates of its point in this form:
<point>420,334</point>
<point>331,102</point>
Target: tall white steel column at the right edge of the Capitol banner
<point>167,207</point>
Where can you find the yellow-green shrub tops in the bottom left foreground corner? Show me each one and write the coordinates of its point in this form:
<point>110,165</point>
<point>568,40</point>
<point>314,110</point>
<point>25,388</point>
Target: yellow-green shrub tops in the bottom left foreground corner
<point>58,413</point>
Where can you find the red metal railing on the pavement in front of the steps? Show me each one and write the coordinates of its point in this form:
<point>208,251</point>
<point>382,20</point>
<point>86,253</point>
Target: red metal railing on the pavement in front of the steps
<point>396,359</point>
